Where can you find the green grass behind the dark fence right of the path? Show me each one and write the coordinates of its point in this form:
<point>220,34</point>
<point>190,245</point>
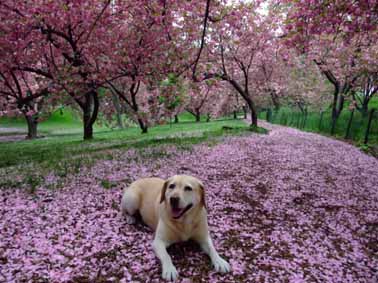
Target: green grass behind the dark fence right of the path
<point>314,123</point>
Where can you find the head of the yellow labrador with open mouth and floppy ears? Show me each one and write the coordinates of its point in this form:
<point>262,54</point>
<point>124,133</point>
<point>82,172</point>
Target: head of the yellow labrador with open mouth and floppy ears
<point>182,193</point>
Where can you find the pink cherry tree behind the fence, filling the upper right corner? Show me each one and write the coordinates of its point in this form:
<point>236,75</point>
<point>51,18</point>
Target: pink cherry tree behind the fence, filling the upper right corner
<point>335,35</point>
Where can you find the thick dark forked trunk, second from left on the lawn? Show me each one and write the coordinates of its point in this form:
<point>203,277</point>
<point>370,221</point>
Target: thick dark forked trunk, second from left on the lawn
<point>90,112</point>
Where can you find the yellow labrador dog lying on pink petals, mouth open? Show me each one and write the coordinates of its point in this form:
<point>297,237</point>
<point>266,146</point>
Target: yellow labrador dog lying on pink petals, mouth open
<point>175,209</point>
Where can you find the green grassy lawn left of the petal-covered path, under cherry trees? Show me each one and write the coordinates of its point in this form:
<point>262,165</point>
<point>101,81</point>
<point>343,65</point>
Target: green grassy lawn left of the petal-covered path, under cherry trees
<point>63,152</point>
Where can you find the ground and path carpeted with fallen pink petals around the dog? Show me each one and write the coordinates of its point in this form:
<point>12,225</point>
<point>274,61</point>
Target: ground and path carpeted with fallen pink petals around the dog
<point>284,207</point>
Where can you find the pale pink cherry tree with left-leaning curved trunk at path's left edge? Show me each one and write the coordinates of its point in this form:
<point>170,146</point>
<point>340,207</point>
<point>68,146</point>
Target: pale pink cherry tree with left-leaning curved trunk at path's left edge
<point>237,41</point>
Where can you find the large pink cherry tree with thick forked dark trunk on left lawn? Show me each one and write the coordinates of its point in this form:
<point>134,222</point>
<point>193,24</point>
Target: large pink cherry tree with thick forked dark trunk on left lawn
<point>73,36</point>
